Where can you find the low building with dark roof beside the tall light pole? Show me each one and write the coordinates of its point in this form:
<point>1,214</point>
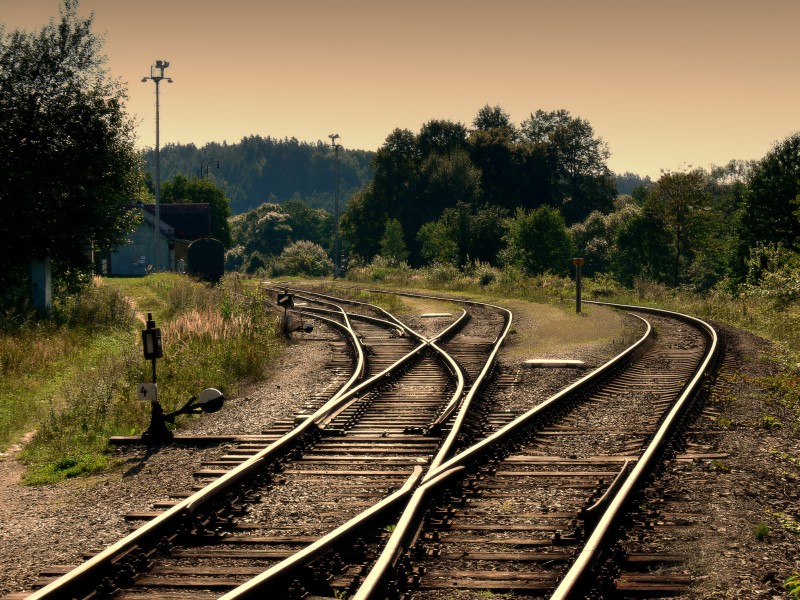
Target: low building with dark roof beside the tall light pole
<point>181,224</point>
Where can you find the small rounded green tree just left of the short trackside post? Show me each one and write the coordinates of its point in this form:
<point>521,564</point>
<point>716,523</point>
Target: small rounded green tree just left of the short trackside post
<point>538,241</point>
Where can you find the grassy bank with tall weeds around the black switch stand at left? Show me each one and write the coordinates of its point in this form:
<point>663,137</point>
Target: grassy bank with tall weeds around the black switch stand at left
<point>72,379</point>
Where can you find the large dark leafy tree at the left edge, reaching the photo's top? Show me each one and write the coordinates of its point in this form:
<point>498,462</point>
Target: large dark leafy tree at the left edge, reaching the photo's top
<point>70,168</point>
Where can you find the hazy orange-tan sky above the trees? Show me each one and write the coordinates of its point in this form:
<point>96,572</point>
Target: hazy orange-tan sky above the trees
<point>663,83</point>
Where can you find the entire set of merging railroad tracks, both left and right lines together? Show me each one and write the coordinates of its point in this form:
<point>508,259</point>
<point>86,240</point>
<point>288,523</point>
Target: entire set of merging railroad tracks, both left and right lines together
<point>397,499</point>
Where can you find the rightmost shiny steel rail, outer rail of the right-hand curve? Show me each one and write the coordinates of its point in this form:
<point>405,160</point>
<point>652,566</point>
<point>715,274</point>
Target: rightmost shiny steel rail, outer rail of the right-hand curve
<point>574,582</point>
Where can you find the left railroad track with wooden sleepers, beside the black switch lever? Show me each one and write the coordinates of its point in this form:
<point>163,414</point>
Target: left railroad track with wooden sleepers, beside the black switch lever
<point>277,492</point>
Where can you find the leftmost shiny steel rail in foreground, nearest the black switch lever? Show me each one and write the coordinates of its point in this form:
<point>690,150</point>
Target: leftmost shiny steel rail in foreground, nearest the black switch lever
<point>149,534</point>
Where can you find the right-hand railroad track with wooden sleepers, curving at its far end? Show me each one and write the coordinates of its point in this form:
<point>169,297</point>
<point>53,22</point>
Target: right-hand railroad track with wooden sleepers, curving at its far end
<point>534,508</point>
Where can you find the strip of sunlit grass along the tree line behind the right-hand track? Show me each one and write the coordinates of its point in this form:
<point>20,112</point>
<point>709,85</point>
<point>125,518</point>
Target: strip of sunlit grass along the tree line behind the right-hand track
<point>751,311</point>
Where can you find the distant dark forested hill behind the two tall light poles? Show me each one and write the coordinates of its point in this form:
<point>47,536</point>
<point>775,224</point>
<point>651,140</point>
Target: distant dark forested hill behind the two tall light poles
<point>258,170</point>
